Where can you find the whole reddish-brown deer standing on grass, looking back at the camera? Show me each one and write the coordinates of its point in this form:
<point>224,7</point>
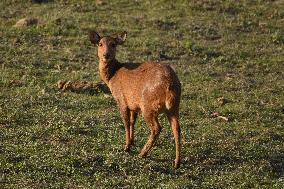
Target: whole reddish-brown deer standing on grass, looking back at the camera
<point>150,88</point>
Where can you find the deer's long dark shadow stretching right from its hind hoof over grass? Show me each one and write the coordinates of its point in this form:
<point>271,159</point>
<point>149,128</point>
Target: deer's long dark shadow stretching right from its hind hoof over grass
<point>267,163</point>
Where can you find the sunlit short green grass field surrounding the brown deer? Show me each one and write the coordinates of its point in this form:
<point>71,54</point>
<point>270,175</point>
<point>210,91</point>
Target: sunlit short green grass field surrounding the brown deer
<point>221,49</point>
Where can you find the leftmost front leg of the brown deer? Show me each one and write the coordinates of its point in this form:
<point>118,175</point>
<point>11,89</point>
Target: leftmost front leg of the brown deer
<point>125,115</point>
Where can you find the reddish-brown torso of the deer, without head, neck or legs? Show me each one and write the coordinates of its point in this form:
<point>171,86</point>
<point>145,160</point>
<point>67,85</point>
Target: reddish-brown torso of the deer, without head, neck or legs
<point>147,84</point>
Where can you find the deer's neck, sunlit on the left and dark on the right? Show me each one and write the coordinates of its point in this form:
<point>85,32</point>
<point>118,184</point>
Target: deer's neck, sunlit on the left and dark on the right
<point>107,70</point>
